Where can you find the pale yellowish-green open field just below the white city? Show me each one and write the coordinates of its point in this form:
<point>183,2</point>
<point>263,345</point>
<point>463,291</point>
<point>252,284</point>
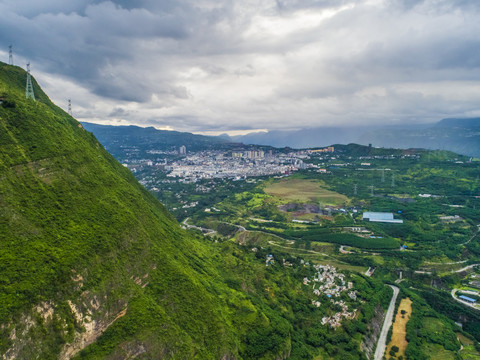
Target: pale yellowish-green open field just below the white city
<point>305,190</point>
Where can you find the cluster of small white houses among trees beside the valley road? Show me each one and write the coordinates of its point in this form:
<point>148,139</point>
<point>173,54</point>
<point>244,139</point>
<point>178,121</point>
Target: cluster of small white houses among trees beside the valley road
<point>331,283</point>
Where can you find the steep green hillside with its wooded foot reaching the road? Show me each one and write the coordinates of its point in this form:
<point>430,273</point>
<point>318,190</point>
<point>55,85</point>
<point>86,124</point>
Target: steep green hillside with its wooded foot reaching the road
<point>93,267</point>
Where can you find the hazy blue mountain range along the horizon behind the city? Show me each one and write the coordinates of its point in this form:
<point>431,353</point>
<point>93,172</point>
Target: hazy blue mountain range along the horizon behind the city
<point>458,135</point>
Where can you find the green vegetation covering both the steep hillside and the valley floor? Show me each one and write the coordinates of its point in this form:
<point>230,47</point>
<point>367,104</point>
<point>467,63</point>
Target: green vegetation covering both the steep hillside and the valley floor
<point>84,247</point>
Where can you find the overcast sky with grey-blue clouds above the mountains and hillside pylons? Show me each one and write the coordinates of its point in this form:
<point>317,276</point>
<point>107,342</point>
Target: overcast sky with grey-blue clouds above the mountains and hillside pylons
<point>235,66</point>
